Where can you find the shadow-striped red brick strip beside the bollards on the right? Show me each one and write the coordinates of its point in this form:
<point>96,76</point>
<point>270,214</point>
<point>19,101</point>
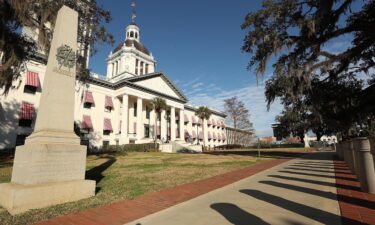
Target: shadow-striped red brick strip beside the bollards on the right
<point>354,204</point>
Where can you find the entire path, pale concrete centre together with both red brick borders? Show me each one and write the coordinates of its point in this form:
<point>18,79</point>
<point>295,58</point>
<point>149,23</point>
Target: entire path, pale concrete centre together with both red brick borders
<point>311,190</point>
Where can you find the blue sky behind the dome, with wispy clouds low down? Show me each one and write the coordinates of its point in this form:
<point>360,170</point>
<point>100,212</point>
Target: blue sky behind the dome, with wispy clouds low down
<point>197,43</point>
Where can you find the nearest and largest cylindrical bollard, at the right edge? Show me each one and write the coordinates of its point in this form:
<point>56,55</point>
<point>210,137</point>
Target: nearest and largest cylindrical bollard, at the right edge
<point>365,163</point>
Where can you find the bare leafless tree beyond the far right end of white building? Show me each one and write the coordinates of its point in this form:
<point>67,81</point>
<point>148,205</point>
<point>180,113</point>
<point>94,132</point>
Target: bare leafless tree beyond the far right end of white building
<point>238,115</point>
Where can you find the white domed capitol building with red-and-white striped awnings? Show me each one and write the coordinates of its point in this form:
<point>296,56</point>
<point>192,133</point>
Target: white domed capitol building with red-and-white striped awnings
<point>115,109</point>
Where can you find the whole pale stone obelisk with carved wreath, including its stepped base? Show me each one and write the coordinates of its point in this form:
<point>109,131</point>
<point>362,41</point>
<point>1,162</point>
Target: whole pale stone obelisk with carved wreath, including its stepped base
<point>50,168</point>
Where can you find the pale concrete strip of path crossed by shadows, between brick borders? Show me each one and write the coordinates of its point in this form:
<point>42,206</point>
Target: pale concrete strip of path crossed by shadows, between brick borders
<point>300,191</point>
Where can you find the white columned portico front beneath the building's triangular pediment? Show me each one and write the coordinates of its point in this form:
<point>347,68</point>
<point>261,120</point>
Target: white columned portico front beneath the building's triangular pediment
<point>137,120</point>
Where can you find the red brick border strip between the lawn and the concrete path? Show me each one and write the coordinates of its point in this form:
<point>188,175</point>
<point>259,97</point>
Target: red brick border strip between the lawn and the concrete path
<point>128,210</point>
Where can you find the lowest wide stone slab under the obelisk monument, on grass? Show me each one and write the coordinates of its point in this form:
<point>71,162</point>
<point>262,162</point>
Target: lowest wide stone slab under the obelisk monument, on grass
<point>17,198</point>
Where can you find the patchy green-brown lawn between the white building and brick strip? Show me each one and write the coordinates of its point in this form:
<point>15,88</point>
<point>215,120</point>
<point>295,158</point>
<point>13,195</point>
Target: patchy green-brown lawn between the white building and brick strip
<point>122,177</point>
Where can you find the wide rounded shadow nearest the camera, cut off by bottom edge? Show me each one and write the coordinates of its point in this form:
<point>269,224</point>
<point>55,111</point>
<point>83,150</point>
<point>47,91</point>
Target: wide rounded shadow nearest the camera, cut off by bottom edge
<point>236,215</point>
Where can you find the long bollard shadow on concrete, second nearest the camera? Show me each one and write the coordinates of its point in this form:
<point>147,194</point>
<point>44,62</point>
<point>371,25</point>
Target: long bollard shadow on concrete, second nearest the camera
<point>304,210</point>
